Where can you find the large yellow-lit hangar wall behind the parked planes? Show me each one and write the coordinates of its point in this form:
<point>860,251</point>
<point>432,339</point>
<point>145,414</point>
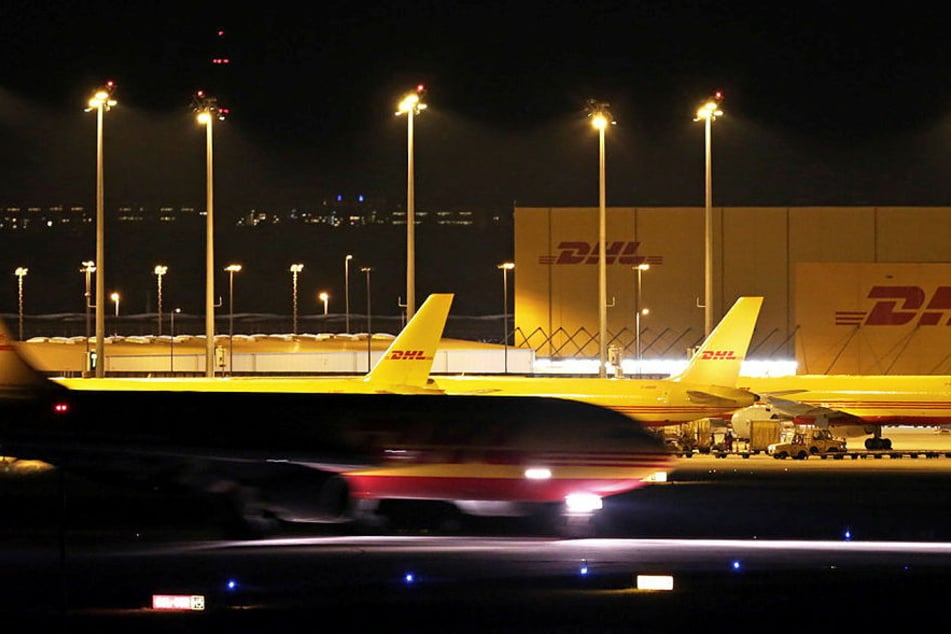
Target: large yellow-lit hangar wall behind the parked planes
<point>756,251</point>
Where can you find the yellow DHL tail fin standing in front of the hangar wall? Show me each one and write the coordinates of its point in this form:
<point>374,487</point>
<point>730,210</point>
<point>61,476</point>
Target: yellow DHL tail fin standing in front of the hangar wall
<point>718,360</point>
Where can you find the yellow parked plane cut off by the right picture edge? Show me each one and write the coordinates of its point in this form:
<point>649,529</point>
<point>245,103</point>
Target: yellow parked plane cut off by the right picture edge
<point>851,405</point>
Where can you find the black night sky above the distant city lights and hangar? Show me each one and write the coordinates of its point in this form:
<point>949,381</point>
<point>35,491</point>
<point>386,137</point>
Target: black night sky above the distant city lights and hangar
<point>826,103</point>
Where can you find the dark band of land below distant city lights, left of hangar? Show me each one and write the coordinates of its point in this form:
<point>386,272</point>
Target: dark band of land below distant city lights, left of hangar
<point>466,256</point>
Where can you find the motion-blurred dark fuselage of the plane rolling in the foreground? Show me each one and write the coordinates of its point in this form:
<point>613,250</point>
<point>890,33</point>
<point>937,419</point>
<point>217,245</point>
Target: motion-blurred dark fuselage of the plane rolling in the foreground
<point>429,447</point>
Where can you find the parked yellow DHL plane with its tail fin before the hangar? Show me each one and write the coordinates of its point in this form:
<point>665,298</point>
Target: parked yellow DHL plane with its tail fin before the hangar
<point>707,387</point>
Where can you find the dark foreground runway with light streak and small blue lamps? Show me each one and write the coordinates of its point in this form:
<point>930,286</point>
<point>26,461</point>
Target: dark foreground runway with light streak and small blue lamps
<point>748,544</point>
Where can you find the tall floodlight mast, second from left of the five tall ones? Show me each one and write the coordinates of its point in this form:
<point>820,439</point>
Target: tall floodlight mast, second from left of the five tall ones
<point>207,111</point>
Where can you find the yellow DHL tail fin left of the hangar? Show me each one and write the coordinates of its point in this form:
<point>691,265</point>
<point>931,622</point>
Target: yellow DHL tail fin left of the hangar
<point>408,361</point>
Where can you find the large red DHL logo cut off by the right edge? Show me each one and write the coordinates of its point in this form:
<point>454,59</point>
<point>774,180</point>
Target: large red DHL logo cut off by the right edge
<point>900,305</point>
